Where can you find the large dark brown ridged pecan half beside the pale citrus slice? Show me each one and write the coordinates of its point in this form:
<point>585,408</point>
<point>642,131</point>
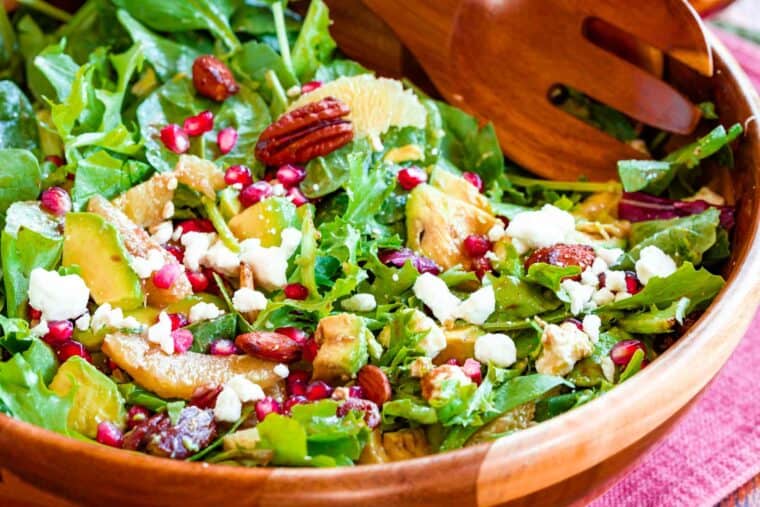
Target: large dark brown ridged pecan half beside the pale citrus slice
<point>311,131</point>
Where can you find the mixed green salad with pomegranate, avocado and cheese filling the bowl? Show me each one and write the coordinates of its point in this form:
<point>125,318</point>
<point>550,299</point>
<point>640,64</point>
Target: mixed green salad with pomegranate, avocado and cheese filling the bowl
<point>224,242</point>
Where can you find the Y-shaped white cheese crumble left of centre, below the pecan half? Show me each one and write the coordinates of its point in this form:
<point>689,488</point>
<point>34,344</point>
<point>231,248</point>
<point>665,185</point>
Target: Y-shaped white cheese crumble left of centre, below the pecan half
<point>270,264</point>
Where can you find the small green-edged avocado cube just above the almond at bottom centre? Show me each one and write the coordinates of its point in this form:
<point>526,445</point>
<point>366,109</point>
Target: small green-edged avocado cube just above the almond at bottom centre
<point>343,340</point>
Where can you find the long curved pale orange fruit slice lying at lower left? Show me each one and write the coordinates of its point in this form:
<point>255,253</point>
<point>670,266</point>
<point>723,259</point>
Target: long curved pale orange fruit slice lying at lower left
<point>178,375</point>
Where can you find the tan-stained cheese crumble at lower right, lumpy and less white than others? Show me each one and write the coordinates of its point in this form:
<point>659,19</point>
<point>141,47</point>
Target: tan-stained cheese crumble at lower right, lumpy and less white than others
<point>563,346</point>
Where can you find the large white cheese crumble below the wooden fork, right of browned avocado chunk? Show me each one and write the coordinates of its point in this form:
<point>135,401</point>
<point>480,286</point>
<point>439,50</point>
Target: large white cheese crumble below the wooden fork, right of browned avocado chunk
<point>537,229</point>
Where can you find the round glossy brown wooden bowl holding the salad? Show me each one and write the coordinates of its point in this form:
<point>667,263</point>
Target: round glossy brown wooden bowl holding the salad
<point>556,462</point>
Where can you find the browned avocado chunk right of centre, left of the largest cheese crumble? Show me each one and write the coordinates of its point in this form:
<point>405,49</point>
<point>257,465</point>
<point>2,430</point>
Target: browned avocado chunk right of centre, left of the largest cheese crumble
<point>437,224</point>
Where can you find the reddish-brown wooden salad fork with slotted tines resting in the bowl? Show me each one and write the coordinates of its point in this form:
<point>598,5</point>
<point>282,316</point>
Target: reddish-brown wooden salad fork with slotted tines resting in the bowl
<point>500,59</point>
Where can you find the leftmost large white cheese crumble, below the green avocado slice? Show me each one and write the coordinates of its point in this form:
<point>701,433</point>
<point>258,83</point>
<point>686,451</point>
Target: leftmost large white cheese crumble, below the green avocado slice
<point>57,297</point>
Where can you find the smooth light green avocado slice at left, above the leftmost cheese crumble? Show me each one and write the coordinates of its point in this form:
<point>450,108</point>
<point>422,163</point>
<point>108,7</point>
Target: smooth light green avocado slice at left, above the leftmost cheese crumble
<point>94,245</point>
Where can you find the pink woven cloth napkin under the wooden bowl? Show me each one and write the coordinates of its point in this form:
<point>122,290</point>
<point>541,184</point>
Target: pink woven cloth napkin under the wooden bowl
<point>716,448</point>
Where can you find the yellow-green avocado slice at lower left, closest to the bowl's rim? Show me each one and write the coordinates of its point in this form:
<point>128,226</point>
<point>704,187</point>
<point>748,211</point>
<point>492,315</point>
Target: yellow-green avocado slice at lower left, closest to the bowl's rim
<point>96,397</point>
